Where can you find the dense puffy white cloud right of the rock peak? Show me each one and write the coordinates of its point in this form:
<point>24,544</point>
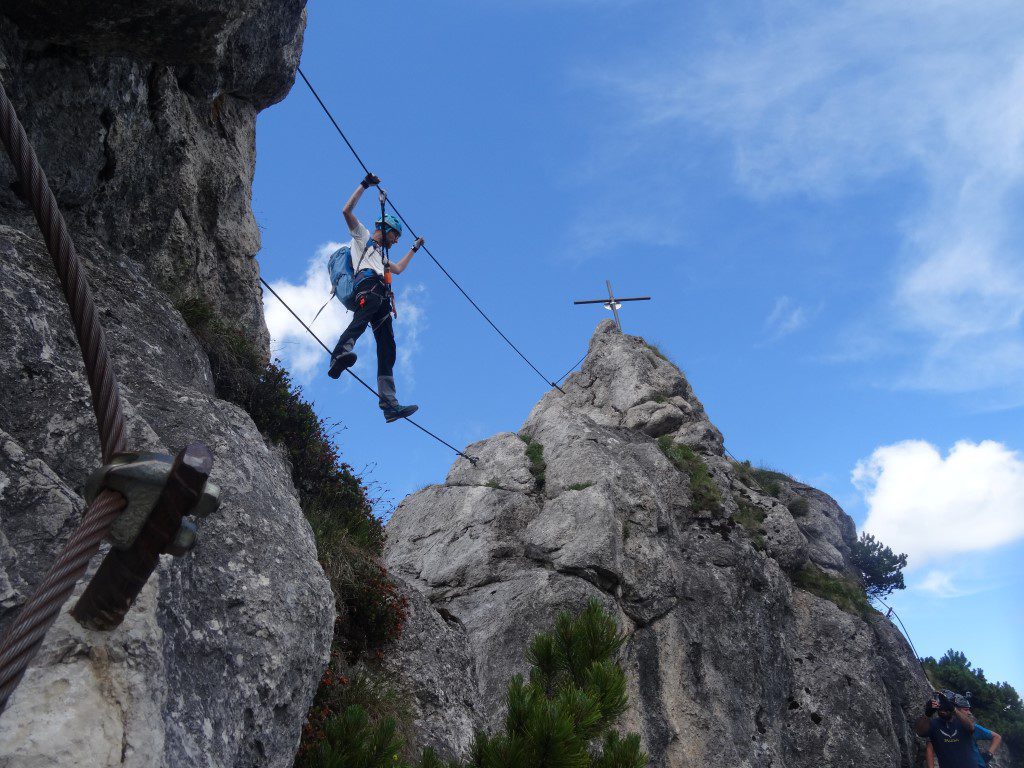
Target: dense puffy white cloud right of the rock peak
<point>932,507</point>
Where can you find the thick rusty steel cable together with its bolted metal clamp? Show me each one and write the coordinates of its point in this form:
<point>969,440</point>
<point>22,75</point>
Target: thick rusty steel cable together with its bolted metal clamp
<point>151,531</point>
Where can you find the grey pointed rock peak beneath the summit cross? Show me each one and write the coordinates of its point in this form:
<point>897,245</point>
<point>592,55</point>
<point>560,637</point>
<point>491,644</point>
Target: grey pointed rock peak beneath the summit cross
<point>730,663</point>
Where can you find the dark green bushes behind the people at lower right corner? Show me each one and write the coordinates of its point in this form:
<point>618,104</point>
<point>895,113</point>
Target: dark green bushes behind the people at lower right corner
<point>997,706</point>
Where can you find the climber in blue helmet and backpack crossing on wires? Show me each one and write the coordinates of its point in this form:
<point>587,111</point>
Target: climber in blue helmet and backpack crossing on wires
<point>361,279</point>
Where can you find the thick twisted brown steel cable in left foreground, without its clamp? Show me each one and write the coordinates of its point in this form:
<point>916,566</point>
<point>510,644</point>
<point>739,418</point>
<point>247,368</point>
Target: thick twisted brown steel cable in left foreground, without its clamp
<point>26,633</point>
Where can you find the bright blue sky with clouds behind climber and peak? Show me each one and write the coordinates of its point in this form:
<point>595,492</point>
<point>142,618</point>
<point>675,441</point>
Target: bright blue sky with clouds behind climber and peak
<point>822,198</point>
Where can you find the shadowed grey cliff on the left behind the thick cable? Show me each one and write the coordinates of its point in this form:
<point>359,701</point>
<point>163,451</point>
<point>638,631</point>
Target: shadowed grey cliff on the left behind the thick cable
<point>143,114</point>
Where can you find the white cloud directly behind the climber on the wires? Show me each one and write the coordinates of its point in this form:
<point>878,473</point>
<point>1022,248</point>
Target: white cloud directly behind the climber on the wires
<point>301,353</point>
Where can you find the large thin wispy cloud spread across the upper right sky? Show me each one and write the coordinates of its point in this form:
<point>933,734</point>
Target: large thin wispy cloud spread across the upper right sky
<point>826,100</point>
